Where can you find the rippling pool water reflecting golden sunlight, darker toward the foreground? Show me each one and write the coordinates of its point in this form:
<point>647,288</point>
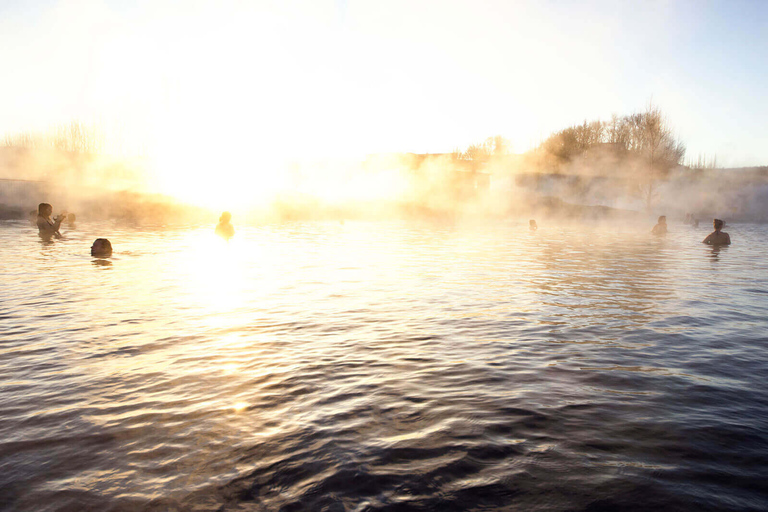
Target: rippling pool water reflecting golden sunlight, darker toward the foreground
<point>384,367</point>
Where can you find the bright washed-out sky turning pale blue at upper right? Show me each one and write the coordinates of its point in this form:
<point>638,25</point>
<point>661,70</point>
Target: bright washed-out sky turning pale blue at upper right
<point>308,78</point>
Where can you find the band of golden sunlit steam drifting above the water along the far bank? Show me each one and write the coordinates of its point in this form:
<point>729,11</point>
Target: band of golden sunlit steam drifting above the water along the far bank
<point>167,188</point>
